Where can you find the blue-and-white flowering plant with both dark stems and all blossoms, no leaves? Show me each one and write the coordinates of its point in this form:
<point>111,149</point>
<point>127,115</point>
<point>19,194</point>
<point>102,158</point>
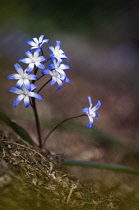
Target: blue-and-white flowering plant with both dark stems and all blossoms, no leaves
<point>25,86</point>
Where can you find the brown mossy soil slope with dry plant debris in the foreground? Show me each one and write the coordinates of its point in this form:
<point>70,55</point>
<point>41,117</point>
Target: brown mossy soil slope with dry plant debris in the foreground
<point>33,180</point>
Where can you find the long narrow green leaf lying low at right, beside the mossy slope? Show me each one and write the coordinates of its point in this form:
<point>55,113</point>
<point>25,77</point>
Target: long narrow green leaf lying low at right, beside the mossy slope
<point>90,164</point>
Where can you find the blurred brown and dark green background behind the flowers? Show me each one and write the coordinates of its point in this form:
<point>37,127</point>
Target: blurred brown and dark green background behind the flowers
<point>102,40</point>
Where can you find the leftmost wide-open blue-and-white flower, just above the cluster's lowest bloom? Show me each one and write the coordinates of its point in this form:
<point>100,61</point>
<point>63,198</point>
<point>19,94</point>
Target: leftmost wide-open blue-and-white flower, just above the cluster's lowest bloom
<point>22,76</point>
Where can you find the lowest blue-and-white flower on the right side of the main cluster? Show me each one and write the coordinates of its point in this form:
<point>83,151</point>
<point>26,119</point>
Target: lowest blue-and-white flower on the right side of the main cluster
<point>56,77</point>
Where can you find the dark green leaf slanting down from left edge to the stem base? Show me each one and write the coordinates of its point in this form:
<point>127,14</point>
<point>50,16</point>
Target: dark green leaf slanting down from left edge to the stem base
<point>17,128</point>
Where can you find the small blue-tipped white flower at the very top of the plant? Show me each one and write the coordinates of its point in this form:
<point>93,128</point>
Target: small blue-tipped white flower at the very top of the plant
<point>37,43</point>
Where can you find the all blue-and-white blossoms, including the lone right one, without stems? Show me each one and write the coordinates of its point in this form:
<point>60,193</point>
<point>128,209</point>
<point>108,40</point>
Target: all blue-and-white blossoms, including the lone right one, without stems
<point>25,85</point>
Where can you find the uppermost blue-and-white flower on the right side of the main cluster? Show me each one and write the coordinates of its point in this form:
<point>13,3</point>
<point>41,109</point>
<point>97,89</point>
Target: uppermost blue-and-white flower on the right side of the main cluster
<point>57,52</point>
